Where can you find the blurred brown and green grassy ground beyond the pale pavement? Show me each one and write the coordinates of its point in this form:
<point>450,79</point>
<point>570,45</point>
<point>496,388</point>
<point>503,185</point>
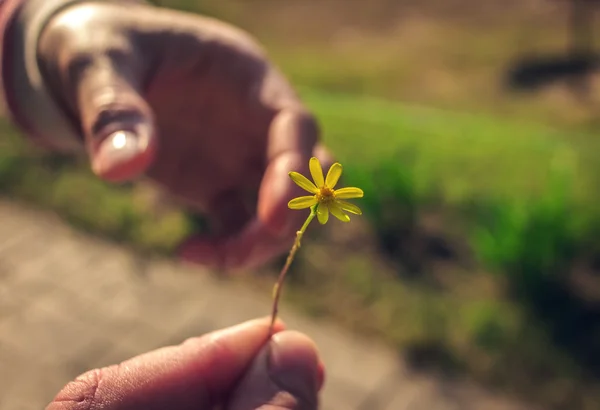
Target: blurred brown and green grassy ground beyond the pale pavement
<point>473,127</point>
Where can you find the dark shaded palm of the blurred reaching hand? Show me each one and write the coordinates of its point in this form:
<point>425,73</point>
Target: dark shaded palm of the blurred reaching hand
<point>213,124</point>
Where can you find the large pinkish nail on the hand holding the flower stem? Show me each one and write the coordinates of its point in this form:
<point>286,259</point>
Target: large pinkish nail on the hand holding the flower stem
<point>293,364</point>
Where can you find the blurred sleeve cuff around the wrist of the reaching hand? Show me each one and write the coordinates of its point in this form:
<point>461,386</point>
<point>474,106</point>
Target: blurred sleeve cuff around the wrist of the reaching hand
<point>26,98</point>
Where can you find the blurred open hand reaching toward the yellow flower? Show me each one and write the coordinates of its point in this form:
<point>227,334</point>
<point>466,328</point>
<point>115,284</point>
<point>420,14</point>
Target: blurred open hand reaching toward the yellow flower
<point>194,104</point>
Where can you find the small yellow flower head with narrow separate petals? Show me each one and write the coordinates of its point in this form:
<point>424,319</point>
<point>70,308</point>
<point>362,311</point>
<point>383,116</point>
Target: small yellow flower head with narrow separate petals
<point>327,199</point>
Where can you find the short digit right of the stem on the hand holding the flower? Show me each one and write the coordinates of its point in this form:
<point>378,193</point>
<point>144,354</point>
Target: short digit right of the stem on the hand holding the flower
<point>285,375</point>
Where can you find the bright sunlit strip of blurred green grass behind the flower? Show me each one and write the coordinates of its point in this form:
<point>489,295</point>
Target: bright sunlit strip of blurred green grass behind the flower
<point>464,156</point>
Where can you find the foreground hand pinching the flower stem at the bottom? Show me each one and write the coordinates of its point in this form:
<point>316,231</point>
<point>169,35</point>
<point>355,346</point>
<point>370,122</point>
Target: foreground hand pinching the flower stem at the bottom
<point>237,368</point>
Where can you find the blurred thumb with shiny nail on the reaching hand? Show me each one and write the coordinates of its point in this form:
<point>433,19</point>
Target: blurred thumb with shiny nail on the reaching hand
<point>117,122</point>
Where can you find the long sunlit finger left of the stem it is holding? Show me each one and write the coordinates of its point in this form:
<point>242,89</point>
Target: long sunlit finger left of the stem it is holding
<point>194,375</point>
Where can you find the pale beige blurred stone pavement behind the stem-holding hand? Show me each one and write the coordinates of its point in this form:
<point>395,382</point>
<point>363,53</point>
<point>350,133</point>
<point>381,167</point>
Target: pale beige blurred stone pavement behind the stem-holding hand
<point>70,302</point>
